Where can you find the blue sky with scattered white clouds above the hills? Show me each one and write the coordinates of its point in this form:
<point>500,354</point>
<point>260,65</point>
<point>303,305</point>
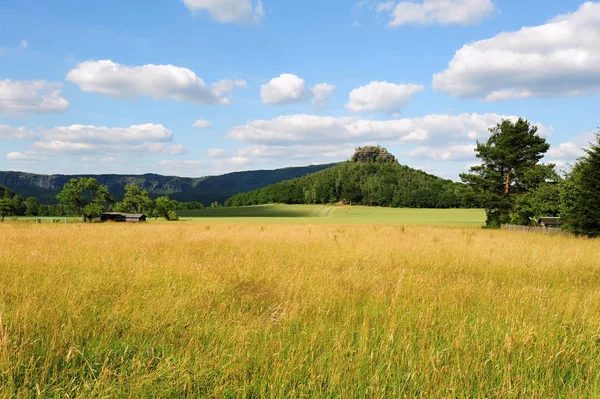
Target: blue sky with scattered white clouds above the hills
<point>199,87</point>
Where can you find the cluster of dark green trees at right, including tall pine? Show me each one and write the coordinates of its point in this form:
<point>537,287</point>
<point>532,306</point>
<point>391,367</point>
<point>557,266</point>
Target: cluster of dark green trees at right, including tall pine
<point>515,187</point>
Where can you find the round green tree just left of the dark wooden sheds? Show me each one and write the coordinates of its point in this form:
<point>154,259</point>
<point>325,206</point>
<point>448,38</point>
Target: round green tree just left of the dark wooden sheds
<point>86,197</point>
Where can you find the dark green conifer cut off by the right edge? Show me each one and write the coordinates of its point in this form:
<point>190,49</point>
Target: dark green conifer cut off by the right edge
<point>581,194</point>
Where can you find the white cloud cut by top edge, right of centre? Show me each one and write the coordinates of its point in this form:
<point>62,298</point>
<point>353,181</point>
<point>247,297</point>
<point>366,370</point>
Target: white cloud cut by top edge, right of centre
<point>443,12</point>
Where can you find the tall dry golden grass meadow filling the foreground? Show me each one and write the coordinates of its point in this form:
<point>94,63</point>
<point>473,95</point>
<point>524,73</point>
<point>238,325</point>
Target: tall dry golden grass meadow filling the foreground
<point>250,310</point>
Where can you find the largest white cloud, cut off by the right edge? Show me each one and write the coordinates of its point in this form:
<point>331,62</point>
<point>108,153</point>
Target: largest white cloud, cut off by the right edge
<point>559,58</point>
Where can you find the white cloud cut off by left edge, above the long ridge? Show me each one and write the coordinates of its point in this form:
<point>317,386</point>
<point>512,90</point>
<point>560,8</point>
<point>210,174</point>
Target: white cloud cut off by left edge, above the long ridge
<point>17,98</point>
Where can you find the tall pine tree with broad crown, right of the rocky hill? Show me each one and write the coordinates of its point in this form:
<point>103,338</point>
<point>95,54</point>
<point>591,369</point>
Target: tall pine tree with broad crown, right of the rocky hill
<point>509,167</point>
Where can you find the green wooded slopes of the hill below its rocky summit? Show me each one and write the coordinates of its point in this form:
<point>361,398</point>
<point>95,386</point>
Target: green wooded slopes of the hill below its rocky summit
<point>361,183</point>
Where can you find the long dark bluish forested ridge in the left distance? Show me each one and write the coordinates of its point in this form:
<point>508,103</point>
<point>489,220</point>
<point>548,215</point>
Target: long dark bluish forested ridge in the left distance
<point>203,189</point>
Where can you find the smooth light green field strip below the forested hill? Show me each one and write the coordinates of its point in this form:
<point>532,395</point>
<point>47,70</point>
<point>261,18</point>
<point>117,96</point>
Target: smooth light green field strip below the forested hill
<point>338,214</point>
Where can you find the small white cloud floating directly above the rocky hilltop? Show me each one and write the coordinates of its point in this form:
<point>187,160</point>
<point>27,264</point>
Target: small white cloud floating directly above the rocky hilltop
<point>382,96</point>
